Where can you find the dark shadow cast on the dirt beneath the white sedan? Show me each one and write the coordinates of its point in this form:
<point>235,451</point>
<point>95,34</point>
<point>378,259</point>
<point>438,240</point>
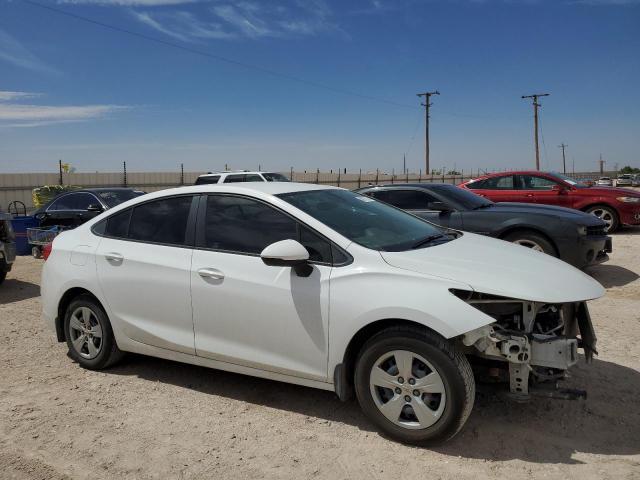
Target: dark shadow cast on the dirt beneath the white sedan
<point>541,431</point>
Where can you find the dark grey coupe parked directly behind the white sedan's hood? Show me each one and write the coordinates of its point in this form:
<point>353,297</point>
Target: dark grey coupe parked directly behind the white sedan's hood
<point>573,236</point>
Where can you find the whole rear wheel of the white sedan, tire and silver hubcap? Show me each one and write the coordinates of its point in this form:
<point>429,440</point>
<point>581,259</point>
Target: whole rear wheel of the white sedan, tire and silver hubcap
<point>89,335</point>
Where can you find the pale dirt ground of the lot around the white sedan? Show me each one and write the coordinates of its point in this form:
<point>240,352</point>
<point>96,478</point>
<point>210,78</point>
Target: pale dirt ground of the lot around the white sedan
<point>150,418</point>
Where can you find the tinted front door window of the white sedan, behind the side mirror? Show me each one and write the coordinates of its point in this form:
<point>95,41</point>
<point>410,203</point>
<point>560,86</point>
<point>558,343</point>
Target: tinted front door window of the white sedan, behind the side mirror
<point>243,225</point>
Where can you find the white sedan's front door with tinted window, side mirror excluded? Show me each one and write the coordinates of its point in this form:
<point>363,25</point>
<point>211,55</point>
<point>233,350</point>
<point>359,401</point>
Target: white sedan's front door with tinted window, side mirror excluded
<point>251,314</point>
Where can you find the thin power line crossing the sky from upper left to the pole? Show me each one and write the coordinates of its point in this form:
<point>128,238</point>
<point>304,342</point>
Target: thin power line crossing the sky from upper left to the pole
<point>212,56</point>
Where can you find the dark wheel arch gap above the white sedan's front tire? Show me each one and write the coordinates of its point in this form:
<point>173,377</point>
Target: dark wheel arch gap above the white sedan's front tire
<point>343,374</point>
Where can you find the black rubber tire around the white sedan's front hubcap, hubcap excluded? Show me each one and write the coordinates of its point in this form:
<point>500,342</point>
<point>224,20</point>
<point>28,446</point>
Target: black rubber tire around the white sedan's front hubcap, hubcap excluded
<point>452,367</point>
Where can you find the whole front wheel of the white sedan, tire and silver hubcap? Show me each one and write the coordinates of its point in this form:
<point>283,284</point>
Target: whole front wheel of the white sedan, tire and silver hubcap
<point>414,385</point>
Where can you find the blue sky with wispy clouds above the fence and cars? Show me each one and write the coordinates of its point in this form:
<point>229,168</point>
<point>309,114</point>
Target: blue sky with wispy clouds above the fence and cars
<point>95,97</point>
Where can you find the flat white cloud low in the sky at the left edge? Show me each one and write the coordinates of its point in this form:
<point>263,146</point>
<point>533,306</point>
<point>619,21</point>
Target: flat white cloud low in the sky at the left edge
<point>29,115</point>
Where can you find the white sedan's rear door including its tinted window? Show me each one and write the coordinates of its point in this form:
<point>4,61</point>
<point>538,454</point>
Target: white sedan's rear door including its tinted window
<point>144,267</point>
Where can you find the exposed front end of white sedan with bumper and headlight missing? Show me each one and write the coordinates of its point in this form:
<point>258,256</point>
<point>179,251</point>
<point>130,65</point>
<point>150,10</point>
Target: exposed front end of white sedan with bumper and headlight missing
<point>533,344</point>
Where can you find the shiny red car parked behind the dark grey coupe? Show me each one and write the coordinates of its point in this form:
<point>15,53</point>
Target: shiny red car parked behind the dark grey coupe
<point>616,206</point>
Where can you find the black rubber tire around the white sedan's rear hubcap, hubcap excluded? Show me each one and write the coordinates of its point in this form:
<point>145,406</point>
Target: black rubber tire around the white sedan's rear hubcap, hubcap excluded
<point>108,352</point>
